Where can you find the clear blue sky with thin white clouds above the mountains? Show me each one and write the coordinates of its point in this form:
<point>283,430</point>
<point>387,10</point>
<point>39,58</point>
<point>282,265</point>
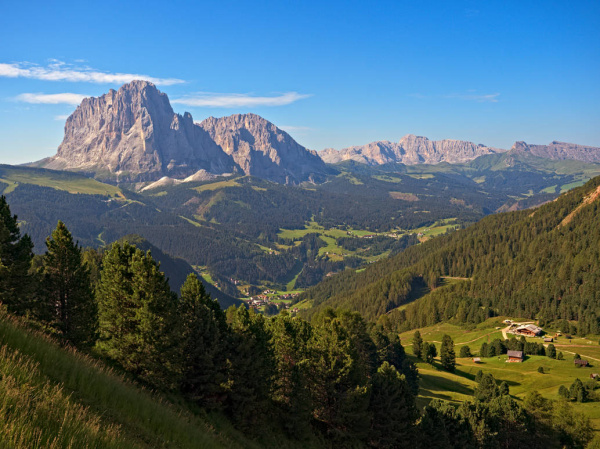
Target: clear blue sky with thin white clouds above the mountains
<point>333,74</point>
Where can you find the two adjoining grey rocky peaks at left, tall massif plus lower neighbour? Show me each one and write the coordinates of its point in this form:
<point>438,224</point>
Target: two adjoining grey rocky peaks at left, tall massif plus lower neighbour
<point>133,134</point>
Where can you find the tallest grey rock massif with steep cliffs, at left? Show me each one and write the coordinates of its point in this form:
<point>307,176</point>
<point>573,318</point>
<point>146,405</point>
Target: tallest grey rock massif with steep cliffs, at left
<point>134,134</point>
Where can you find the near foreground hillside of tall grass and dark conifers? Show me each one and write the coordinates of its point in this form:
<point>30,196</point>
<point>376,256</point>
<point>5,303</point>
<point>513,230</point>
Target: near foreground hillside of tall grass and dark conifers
<point>184,373</point>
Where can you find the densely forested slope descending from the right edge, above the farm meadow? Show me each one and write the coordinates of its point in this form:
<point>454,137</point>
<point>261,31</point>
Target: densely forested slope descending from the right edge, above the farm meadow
<point>537,264</point>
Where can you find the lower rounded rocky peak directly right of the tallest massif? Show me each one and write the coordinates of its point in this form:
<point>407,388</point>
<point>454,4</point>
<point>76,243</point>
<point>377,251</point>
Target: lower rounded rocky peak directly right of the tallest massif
<point>261,149</point>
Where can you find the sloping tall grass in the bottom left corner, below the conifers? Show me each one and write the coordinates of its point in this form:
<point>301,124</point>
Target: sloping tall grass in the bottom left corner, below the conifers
<point>52,397</point>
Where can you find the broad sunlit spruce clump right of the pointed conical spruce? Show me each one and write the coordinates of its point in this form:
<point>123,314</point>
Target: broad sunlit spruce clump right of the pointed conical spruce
<point>136,314</point>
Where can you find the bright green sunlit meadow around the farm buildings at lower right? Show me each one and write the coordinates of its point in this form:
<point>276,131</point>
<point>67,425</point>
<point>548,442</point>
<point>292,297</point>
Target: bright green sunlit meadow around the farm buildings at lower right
<point>521,377</point>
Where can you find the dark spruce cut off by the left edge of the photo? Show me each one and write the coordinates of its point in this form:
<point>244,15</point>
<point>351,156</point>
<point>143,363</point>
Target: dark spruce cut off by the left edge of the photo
<point>15,260</point>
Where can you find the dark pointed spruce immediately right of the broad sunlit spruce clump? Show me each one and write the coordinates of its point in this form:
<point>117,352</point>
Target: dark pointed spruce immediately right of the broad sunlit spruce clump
<point>203,337</point>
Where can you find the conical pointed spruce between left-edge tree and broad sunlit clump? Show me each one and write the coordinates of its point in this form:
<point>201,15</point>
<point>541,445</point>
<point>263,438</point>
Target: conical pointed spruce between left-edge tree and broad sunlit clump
<point>66,291</point>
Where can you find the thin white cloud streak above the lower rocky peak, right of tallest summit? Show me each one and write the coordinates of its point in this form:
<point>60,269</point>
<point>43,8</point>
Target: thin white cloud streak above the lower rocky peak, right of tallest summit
<point>214,100</point>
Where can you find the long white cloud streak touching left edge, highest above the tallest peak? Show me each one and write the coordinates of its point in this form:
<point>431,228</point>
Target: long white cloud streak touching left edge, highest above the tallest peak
<point>59,71</point>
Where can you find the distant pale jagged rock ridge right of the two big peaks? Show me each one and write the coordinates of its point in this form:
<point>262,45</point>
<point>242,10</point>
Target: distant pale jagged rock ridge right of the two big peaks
<point>410,150</point>
